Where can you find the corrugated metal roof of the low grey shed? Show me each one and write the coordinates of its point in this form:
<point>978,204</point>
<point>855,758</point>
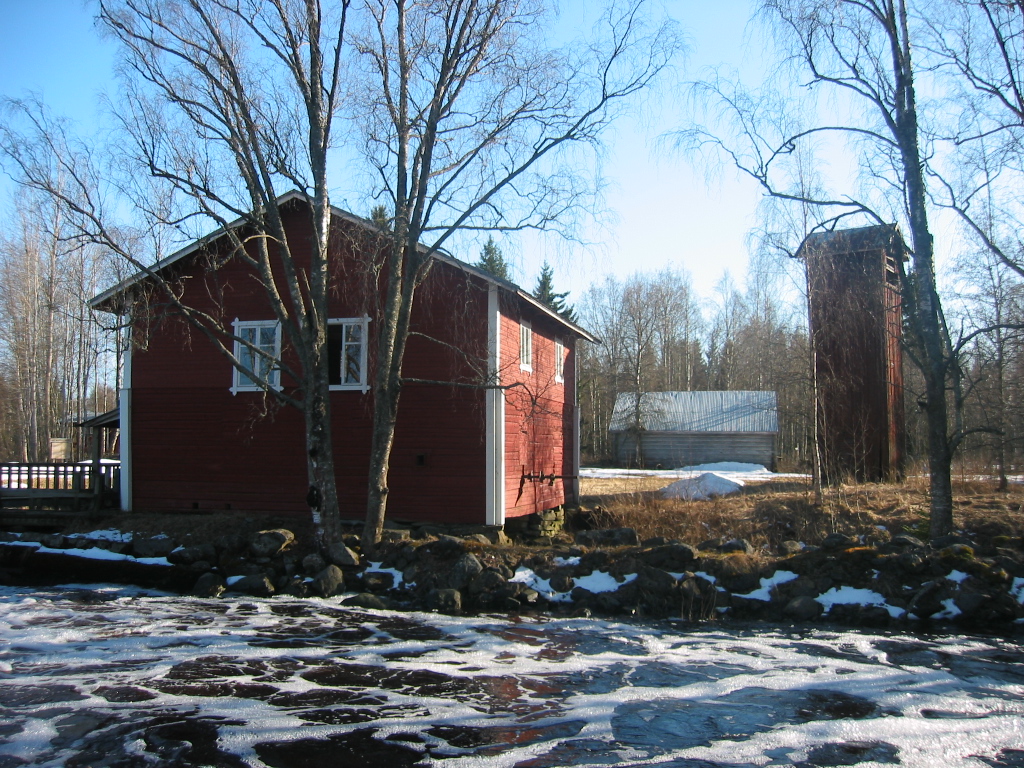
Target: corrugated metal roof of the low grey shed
<point>698,412</point>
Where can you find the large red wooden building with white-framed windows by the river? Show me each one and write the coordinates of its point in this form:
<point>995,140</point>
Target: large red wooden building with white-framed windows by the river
<point>196,435</point>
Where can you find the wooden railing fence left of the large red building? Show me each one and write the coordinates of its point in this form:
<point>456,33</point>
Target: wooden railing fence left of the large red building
<point>67,487</point>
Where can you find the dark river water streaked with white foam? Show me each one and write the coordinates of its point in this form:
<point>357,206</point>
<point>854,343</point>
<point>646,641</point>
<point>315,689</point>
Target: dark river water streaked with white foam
<point>108,676</point>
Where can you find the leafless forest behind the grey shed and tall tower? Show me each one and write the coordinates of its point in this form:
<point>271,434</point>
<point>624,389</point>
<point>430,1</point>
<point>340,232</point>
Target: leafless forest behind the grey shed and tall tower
<point>659,335</point>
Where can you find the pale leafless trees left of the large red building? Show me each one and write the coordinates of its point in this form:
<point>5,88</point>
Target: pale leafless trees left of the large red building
<point>58,361</point>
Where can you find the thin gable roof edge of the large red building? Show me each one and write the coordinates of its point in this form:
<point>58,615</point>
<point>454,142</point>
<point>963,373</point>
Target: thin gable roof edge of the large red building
<point>99,302</point>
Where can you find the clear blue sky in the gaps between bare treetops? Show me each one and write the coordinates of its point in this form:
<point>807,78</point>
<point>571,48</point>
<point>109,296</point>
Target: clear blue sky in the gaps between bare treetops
<point>663,210</point>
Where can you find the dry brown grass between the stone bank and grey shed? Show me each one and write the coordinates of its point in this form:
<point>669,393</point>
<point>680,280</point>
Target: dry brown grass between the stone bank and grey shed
<point>767,515</point>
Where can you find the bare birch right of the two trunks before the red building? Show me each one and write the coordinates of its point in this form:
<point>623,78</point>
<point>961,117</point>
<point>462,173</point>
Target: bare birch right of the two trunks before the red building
<point>478,122</point>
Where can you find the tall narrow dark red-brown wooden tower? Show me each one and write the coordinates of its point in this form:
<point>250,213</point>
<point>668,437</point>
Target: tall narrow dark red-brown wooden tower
<point>857,323</point>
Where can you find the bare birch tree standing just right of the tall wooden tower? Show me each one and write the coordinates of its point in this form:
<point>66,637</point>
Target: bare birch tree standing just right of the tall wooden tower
<point>861,52</point>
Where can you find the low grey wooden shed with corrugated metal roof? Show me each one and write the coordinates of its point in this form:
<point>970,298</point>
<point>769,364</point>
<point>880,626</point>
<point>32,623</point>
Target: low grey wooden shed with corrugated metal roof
<point>679,430</point>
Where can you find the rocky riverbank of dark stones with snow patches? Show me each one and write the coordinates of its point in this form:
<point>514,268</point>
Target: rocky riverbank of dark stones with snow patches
<point>607,573</point>
